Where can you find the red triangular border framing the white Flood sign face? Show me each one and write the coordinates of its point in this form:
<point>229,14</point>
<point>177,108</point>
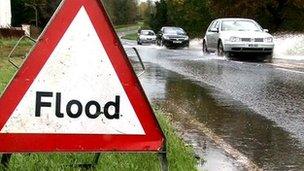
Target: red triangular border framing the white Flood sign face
<point>9,143</point>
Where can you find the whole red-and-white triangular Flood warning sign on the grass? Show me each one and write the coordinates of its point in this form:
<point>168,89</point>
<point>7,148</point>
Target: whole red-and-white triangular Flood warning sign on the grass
<point>77,91</point>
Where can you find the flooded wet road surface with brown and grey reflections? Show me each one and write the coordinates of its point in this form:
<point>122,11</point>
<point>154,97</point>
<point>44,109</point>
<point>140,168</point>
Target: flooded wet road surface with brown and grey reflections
<point>255,107</point>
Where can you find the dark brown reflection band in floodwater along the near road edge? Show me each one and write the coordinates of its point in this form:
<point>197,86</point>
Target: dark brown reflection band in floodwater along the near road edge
<point>269,146</point>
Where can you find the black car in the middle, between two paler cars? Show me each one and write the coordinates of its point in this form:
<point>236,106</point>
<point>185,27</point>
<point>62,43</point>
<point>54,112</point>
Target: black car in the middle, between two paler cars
<point>172,37</point>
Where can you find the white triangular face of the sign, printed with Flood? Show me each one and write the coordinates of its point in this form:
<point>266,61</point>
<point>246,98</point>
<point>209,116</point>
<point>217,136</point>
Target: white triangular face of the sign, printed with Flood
<point>77,91</point>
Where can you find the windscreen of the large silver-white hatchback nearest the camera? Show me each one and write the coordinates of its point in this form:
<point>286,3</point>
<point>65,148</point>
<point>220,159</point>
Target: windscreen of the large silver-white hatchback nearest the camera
<point>240,25</point>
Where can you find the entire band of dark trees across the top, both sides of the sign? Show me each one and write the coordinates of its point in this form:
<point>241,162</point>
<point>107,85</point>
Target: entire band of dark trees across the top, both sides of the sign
<point>192,15</point>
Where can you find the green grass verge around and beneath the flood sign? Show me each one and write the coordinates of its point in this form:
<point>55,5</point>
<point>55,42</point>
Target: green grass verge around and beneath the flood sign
<point>180,156</point>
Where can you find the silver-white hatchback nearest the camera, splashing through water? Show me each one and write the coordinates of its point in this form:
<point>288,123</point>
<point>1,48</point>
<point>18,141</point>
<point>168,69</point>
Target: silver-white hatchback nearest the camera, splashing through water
<point>229,36</point>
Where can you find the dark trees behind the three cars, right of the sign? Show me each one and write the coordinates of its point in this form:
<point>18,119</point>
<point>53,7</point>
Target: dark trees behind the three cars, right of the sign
<point>195,15</point>
